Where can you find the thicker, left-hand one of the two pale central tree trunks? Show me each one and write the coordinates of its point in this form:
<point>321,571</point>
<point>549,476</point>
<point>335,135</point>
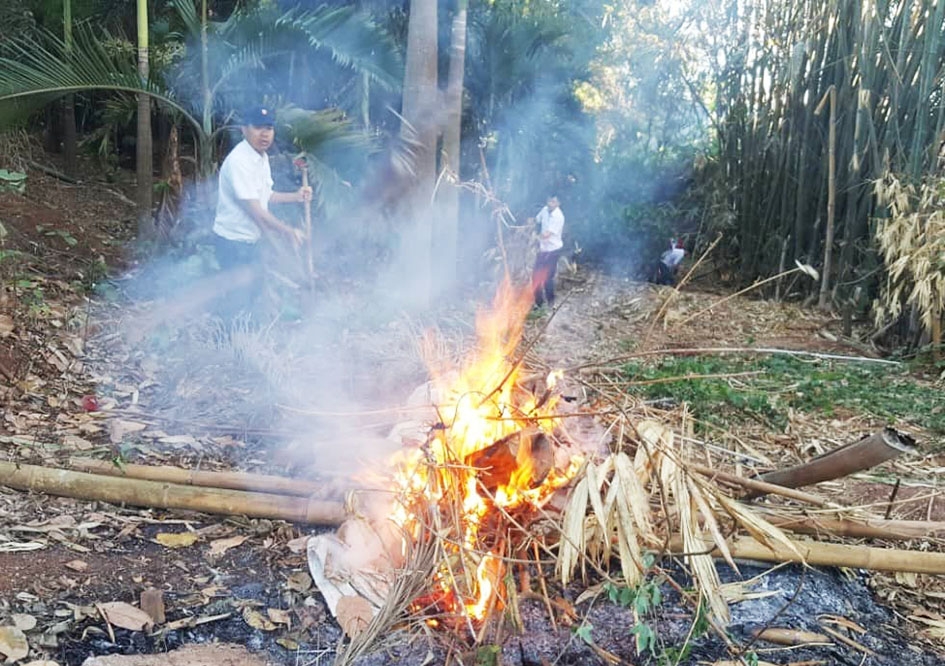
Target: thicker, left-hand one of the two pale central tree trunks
<point>420,129</point>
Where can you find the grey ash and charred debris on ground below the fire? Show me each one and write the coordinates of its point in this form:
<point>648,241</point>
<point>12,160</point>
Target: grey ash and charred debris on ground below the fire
<point>800,599</point>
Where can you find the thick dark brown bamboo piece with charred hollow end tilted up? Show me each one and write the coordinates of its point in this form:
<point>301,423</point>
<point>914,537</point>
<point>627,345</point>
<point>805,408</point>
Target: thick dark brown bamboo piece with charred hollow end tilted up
<point>857,456</point>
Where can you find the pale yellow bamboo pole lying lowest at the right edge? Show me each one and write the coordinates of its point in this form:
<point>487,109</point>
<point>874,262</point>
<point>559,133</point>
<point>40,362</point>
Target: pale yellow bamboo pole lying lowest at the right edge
<point>816,553</point>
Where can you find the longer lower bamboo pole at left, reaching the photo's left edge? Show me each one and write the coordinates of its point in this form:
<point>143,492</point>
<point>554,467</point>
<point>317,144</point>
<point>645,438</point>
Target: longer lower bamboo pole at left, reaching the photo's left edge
<point>81,485</point>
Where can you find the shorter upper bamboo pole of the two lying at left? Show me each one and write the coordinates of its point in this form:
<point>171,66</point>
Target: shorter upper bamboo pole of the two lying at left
<point>231,480</point>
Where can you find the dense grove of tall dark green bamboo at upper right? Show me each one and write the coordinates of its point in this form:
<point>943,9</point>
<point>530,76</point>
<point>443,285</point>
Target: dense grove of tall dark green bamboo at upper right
<point>880,65</point>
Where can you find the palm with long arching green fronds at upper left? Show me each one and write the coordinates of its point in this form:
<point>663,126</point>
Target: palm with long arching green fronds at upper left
<point>248,41</point>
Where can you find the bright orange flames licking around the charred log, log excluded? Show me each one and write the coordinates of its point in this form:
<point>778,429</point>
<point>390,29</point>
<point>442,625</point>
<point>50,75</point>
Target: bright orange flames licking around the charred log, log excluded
<point>480,405</point>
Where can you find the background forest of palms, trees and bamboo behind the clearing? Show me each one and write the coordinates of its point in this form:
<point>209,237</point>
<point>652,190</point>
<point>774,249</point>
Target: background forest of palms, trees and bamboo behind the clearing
<point>806,131</point>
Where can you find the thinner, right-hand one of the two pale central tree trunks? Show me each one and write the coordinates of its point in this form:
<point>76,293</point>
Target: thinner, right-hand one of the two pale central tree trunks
<point>448,193</point>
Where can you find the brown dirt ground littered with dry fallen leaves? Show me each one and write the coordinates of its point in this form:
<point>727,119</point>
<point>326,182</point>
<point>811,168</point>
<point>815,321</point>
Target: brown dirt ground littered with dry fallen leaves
<point>198,397</point>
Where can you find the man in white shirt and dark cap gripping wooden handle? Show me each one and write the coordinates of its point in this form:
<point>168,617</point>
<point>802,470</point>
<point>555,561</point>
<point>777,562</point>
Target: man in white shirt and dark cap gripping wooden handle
<point>243,214</point>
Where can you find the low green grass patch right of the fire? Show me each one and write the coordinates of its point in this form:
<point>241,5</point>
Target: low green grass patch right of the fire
<point>768,387</point>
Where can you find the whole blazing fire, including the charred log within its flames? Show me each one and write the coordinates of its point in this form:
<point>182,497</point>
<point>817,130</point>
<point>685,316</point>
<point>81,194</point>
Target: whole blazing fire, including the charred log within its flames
<point>491,458</point>
